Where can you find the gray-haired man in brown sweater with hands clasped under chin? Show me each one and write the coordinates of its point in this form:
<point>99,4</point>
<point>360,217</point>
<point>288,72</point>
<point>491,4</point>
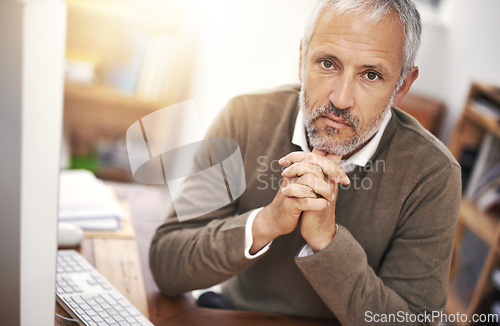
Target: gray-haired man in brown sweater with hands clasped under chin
<point>363,222</point>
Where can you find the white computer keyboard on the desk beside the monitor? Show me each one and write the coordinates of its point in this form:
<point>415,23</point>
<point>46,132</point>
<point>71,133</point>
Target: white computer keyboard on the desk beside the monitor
<point>87,296</point>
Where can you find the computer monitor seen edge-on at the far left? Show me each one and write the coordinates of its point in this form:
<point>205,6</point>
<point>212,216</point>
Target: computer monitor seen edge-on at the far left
<point>32,39</point>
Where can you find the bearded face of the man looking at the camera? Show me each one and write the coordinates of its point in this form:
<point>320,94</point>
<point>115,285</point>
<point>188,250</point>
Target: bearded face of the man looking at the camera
<point>351,70</point>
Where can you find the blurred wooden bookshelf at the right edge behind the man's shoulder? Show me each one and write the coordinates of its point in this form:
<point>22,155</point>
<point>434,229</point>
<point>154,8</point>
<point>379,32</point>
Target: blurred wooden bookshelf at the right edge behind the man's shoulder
<point>475,143</point>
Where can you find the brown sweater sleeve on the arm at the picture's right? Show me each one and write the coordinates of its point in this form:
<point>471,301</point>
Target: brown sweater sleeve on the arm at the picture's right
<point>412,279</point>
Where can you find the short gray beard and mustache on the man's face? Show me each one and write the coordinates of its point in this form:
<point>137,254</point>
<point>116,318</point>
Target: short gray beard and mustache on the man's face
<point>330,143</point>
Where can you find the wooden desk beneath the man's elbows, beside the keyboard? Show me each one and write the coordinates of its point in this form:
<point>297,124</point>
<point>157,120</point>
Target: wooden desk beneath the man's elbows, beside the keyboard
<point>148,207</point>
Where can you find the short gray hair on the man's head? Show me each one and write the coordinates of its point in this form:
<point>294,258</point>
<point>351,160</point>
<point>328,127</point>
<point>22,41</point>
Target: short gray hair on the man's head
<point>374,10</point>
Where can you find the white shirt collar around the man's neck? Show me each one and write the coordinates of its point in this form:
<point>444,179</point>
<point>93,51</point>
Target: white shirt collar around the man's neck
<point>360,158</point>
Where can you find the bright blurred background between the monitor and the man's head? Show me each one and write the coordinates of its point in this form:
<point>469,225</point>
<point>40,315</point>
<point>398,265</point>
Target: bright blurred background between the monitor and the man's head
<point>127,58</point>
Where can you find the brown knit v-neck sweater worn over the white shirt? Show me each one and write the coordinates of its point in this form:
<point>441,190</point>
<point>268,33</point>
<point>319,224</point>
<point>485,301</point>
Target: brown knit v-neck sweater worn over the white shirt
<point>392,251</point>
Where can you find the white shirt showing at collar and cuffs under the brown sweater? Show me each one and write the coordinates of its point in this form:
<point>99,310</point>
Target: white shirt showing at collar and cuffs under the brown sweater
<point>360,158</point>
